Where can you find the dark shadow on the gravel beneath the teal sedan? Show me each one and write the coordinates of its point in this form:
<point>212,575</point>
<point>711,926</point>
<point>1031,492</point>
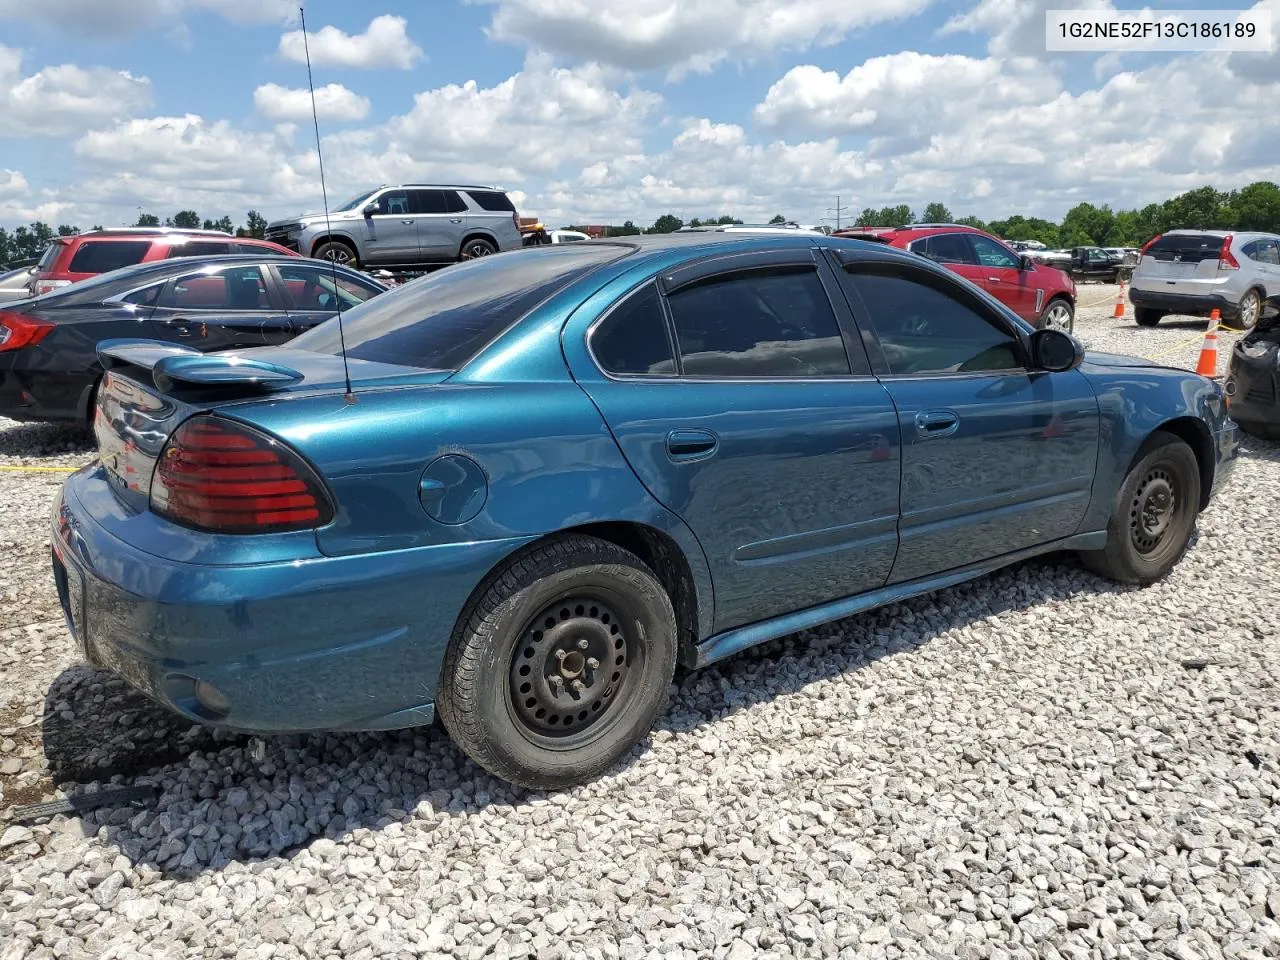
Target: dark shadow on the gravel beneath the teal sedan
<point>234,798</point>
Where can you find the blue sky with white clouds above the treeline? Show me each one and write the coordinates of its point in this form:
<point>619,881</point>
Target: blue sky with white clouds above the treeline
<point>607,111</point>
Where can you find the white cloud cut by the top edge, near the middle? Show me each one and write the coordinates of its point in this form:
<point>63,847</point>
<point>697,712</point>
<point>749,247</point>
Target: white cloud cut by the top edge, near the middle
<point>685,35</point>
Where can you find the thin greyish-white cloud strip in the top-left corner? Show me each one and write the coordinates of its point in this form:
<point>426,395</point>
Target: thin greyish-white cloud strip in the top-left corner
<point>124,17</point>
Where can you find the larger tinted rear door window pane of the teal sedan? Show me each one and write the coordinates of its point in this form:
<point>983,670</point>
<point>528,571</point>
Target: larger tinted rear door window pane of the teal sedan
<point>772,323</point>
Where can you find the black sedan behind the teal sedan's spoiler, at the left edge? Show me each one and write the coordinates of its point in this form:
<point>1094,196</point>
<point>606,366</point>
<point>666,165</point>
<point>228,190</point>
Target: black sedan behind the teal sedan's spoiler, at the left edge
<point>49,368</point>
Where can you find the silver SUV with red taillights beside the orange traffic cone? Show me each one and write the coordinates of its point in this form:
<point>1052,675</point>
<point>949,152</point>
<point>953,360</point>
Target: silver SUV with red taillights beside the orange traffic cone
<point>1196,272</point>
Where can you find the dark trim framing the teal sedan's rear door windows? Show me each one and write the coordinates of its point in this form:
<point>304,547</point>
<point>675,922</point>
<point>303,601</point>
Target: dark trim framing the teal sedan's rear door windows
<point>721,264</point>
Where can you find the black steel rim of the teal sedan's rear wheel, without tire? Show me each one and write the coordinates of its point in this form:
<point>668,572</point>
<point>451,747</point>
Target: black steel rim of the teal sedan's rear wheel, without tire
<point>569,669</point>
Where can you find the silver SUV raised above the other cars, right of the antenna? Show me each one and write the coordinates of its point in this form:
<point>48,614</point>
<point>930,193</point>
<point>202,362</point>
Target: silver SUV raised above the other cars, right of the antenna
<point>413,225</point>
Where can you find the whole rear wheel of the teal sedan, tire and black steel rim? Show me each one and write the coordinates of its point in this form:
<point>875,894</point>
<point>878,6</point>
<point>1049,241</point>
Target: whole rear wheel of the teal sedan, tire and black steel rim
<point>527,628</point>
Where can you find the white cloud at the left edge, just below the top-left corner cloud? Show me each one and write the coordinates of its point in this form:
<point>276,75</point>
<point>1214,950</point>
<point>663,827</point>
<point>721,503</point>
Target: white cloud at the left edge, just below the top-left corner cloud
<point>61,100</point>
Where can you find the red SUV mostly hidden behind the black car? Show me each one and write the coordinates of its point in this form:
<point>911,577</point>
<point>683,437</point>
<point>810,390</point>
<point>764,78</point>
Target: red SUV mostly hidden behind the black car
<point>71,259</point>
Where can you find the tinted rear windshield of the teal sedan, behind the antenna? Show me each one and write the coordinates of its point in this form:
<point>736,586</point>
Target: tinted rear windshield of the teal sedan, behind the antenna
<point>444,319</point>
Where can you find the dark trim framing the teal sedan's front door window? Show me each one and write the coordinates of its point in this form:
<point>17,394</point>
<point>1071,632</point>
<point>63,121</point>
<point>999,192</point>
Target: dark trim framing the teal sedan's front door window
<point>957,290</point>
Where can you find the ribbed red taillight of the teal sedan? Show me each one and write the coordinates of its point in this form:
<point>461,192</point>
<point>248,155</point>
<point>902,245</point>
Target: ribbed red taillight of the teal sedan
<point>227,478</point>
